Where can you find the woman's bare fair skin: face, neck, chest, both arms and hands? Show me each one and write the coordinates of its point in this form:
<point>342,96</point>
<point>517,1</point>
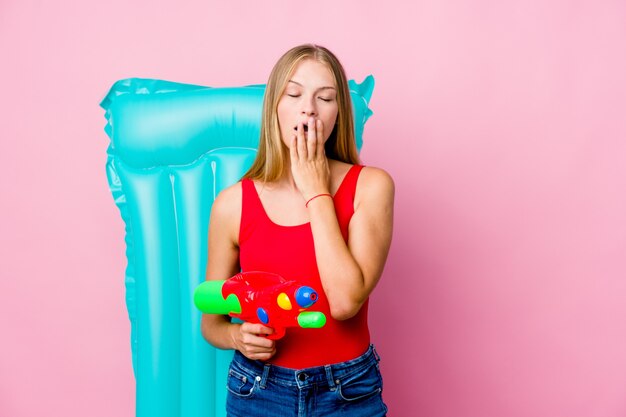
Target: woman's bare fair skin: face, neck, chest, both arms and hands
<point>348,271</point>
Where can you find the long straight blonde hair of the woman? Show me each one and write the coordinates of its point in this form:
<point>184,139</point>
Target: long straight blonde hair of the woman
<point>272,153</point>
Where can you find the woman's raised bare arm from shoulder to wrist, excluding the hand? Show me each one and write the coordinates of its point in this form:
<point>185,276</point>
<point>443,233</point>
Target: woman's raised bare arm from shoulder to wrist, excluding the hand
<point>349,272</point>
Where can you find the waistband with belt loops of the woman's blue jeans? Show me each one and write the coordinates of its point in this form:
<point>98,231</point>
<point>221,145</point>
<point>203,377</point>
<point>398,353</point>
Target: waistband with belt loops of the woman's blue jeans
<point>319,375</point>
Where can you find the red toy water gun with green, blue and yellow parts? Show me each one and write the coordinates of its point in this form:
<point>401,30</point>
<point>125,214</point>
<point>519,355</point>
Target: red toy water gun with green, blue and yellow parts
<point>261,297</point>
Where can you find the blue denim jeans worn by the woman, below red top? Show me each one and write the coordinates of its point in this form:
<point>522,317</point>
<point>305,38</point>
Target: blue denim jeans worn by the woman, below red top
<point>351,388</point>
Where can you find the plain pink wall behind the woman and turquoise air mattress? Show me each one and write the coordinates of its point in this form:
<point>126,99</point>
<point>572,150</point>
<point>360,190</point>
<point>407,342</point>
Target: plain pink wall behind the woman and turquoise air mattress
<point>502,122</point>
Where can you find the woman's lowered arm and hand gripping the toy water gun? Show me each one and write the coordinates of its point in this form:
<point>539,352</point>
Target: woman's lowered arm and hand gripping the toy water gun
<point>223,263</point>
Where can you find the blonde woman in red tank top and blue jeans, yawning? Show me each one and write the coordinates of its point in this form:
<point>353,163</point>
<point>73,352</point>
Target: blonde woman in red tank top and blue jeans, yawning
<point>308,211</point>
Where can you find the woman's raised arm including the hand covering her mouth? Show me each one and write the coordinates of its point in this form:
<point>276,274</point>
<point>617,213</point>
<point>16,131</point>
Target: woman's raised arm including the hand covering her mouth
<point>349,272</point>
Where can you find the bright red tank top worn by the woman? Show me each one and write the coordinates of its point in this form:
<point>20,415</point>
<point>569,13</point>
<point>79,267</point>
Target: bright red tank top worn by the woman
<point>289,252</point>
